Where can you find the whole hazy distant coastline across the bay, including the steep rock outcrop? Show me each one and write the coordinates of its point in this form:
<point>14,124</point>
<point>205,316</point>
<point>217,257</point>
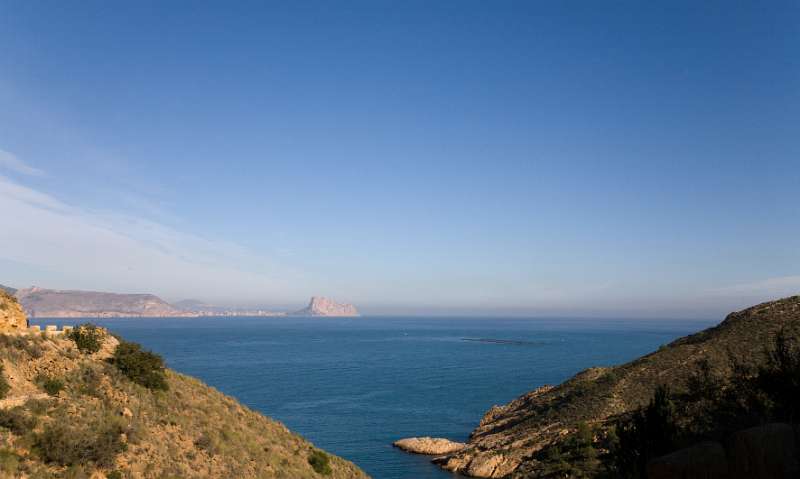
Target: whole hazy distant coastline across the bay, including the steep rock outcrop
<point>51,303</point>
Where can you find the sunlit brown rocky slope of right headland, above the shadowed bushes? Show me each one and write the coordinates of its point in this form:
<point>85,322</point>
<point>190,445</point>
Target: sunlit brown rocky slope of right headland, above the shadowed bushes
<point>509,438</point>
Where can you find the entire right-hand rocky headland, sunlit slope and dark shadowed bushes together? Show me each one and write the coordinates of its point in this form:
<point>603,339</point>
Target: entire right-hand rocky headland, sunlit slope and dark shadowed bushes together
<point>570,430</point>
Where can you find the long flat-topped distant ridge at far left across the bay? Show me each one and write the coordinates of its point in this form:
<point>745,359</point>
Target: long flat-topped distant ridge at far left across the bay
<point>50,303</point>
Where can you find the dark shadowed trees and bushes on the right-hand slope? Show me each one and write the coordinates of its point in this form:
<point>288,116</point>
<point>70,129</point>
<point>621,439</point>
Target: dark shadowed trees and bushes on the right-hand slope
<point>713,407</point>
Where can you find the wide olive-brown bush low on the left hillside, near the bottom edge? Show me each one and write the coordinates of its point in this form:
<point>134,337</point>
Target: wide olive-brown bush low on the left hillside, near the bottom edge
<point>68,441</point>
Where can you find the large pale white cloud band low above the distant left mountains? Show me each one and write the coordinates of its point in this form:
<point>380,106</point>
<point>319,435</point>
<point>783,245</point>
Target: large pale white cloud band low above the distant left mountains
<point>115,252</point>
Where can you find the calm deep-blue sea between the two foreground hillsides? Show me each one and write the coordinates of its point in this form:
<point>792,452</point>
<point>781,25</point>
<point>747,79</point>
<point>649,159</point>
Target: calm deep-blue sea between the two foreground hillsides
<point>352,386</point>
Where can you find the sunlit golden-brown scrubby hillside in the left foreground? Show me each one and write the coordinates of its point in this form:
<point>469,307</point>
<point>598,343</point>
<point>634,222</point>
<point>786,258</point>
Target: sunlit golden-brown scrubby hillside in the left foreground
<point>116,414</point>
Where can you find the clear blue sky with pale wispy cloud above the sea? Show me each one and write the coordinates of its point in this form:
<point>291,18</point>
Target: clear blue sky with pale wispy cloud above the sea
<point>507,158</point>
